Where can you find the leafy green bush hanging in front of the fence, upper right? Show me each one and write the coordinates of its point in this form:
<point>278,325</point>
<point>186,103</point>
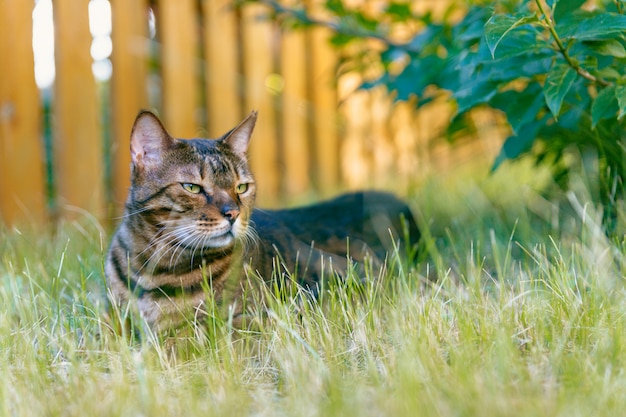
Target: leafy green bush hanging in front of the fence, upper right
<point>555,69</point>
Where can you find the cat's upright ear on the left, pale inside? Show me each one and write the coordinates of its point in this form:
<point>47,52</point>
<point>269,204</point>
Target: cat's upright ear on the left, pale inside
<point>148,139</point>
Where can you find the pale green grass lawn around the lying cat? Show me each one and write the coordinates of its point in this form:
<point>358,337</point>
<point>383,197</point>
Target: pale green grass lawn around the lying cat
<point>526,317</point>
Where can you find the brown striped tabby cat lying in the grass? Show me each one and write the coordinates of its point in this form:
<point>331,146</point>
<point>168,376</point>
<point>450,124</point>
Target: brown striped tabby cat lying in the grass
<point>190,227</point>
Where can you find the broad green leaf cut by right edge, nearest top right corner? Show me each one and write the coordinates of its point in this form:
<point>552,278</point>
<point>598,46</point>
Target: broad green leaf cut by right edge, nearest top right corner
<point>587,26</point>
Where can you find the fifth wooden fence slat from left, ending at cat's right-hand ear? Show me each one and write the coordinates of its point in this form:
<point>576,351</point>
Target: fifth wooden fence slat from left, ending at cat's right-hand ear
<point>221,53</point>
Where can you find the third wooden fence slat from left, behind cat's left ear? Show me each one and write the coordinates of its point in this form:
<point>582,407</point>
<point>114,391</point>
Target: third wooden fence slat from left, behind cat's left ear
<point>128,83</point>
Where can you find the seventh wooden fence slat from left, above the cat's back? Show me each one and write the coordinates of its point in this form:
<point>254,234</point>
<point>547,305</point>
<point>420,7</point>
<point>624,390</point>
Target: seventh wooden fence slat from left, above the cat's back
<point>294,113</point>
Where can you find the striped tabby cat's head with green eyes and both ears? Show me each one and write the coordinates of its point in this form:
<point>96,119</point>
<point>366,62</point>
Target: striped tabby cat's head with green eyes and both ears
<point>196,193</point>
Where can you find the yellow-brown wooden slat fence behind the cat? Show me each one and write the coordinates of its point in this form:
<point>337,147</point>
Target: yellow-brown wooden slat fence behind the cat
<point>206,65</point>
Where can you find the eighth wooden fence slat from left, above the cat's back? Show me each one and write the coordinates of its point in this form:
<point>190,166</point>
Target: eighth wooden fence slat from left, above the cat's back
<point>324,98</point>
